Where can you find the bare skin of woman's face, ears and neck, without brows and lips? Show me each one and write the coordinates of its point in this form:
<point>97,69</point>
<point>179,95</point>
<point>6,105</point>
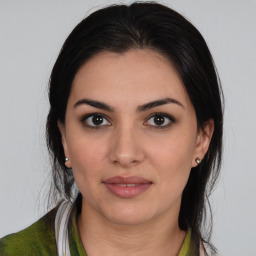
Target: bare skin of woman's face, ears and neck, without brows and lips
<point>130,143</point>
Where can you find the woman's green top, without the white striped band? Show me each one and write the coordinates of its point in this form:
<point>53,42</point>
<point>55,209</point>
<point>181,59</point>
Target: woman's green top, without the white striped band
<point>39,239</point>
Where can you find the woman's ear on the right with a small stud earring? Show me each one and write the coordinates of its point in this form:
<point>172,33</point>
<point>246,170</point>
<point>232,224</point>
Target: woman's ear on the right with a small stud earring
<point>203,140</point>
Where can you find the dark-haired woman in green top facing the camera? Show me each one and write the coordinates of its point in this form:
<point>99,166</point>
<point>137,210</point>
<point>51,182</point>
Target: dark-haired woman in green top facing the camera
<point>135,122</point>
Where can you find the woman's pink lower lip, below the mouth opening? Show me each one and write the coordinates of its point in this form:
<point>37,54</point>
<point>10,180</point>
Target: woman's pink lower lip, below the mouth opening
<point>127,192</point>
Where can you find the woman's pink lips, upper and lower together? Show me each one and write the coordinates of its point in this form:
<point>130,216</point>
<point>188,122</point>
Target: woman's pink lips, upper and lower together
<point>127,187</point>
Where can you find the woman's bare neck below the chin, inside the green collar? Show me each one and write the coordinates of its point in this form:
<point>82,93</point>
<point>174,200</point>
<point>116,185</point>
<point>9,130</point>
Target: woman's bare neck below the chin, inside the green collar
<point>160,236</point>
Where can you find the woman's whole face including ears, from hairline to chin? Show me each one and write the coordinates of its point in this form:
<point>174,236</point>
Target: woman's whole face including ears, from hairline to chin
<point>131,136</point>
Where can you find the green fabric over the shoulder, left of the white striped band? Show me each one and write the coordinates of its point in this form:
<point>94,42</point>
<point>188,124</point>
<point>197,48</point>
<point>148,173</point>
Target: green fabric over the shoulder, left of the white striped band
<point>37,239</point>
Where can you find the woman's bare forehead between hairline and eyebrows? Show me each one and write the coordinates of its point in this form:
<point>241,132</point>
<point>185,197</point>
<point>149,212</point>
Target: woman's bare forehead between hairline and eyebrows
<point>135,76</point>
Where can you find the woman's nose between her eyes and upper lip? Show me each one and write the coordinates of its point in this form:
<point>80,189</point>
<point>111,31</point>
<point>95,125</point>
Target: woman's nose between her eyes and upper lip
<point>126,148</point>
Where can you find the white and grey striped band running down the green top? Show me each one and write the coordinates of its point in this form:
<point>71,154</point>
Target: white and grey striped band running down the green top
<point>61,228</point>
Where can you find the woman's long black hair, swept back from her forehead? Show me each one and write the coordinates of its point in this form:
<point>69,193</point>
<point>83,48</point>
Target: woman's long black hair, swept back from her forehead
<point>147,25</point>
